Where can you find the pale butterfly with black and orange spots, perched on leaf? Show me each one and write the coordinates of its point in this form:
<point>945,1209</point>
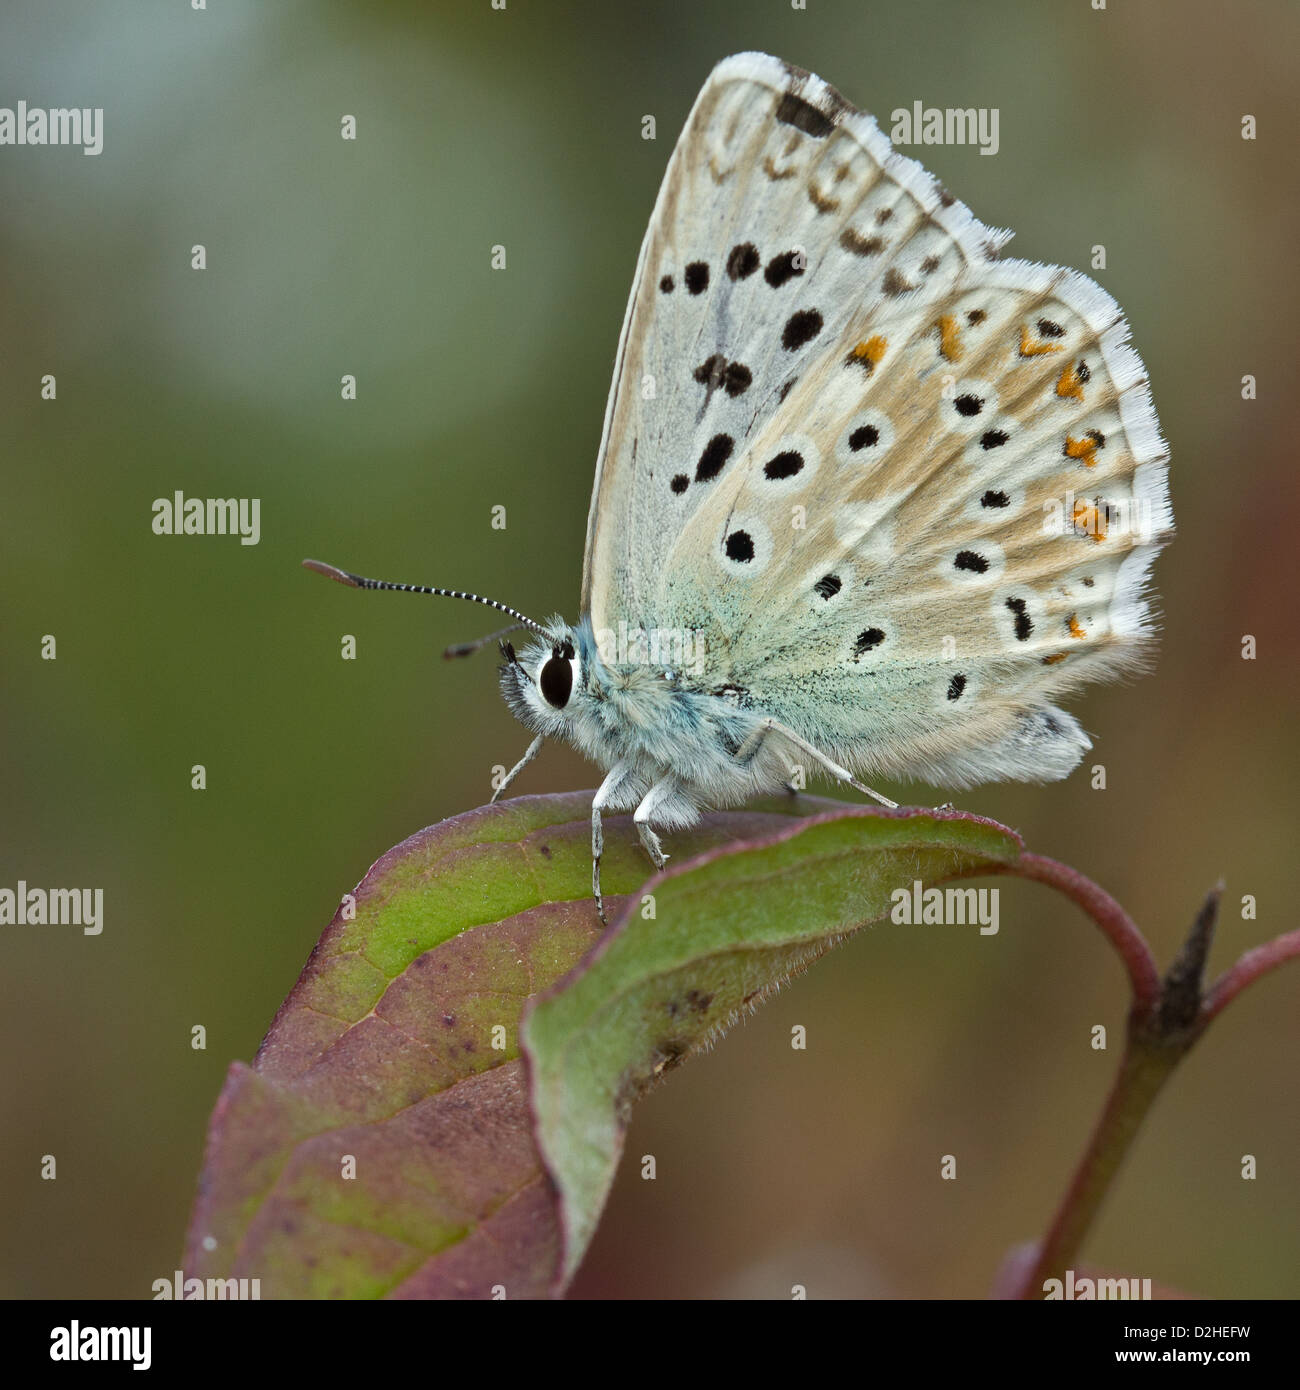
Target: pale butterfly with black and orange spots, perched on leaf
<point>870,498</point>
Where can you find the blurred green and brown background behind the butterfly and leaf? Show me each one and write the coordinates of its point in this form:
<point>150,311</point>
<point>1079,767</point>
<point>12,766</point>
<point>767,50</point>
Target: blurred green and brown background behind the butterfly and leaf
<point>479,387</point>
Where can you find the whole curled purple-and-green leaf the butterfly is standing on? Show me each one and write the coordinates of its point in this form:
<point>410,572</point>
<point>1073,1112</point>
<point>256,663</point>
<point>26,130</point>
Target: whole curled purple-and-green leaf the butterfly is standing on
<point>382,1146</point>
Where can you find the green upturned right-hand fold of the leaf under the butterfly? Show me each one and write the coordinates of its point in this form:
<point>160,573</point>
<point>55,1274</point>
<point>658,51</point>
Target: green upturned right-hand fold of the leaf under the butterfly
<point>729,928</point>
